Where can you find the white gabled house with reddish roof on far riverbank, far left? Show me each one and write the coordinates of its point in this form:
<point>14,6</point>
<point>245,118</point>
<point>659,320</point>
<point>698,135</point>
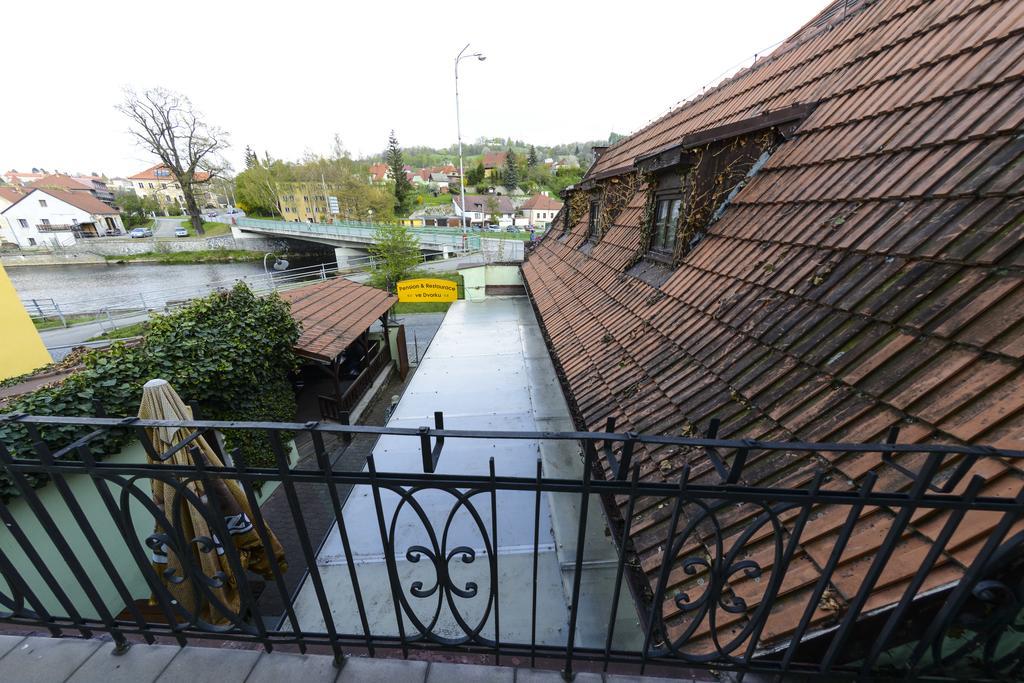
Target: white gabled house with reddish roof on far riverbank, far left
<point>58,218</point>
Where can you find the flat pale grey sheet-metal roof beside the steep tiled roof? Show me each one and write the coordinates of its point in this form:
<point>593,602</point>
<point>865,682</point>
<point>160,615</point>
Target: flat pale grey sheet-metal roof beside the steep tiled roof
<point>488,368</point>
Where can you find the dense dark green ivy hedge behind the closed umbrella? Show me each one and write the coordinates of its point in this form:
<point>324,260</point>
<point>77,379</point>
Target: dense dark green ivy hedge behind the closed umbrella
<point>230,354</point>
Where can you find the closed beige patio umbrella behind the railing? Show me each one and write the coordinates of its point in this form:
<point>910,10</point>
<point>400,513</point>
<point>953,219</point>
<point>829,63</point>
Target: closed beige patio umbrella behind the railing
<point>160,402</point>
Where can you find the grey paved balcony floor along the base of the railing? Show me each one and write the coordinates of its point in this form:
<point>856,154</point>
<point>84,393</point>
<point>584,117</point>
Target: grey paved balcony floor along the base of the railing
<point>34,660</point>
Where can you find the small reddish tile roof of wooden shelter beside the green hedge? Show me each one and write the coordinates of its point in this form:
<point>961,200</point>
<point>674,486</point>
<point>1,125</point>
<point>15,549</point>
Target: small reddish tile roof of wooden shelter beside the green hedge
<point>333,314</point>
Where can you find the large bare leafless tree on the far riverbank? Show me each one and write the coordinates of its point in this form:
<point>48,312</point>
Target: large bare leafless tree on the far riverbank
<point>165,124</point>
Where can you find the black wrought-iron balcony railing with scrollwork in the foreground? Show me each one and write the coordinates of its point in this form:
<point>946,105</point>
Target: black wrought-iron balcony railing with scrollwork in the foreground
<point>735,577</point>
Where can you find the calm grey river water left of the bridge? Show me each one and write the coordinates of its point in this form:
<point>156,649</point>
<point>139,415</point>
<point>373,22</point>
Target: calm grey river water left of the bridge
<point>91,288</point>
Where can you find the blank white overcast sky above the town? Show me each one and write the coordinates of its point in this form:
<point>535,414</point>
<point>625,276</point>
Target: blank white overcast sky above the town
<point>285,77</point>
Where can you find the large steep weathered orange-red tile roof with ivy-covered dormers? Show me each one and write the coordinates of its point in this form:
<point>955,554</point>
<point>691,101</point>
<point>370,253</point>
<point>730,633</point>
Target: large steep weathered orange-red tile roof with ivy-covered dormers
<point>870,276</point>
